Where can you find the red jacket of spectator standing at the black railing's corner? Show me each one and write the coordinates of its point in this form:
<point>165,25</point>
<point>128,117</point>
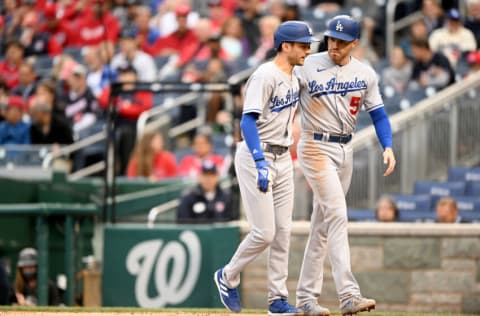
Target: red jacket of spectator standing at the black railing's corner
<point>128,107</point>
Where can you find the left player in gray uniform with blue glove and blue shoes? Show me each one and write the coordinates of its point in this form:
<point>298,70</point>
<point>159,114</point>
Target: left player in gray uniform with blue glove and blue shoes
<point>264,169</point>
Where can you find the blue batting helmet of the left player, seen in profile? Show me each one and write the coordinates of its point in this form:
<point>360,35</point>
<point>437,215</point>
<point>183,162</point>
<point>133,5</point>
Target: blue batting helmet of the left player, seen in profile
<point>293,31</point>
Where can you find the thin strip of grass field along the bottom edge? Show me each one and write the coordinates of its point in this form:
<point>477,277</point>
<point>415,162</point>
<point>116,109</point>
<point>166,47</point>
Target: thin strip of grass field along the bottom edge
<point>188,310</point>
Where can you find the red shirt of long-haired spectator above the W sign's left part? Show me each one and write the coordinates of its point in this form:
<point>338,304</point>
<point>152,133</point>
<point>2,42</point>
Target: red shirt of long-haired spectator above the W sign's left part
<point>164,166</point>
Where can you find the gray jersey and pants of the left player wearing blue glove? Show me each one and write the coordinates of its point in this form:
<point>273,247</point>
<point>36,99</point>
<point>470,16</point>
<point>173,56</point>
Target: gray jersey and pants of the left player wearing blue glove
<point>274,96</point>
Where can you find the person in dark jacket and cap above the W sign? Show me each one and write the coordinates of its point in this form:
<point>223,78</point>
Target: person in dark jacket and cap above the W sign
<point>206,202</point>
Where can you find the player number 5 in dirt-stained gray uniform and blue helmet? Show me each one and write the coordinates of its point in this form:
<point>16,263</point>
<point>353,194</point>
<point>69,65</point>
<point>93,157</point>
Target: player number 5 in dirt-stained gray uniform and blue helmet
<point>334,86</point>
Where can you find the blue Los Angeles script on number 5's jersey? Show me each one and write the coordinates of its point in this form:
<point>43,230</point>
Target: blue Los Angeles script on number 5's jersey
<point>332,86</point>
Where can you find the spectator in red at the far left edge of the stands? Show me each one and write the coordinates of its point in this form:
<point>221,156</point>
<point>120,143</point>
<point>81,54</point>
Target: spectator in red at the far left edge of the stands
<point>10,66</point>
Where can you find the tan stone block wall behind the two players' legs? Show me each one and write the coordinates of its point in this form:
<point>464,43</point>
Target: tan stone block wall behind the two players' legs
<point>422,267</point>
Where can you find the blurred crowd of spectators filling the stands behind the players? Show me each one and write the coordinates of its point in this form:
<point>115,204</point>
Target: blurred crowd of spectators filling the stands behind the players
<point>59,58</point>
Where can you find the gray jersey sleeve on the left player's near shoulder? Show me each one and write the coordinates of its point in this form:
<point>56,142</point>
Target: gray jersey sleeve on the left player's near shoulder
<point>258,92</point>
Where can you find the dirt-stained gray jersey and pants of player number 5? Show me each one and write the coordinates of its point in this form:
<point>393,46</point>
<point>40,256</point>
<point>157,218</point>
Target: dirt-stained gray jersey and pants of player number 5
<point>330,99</point>
